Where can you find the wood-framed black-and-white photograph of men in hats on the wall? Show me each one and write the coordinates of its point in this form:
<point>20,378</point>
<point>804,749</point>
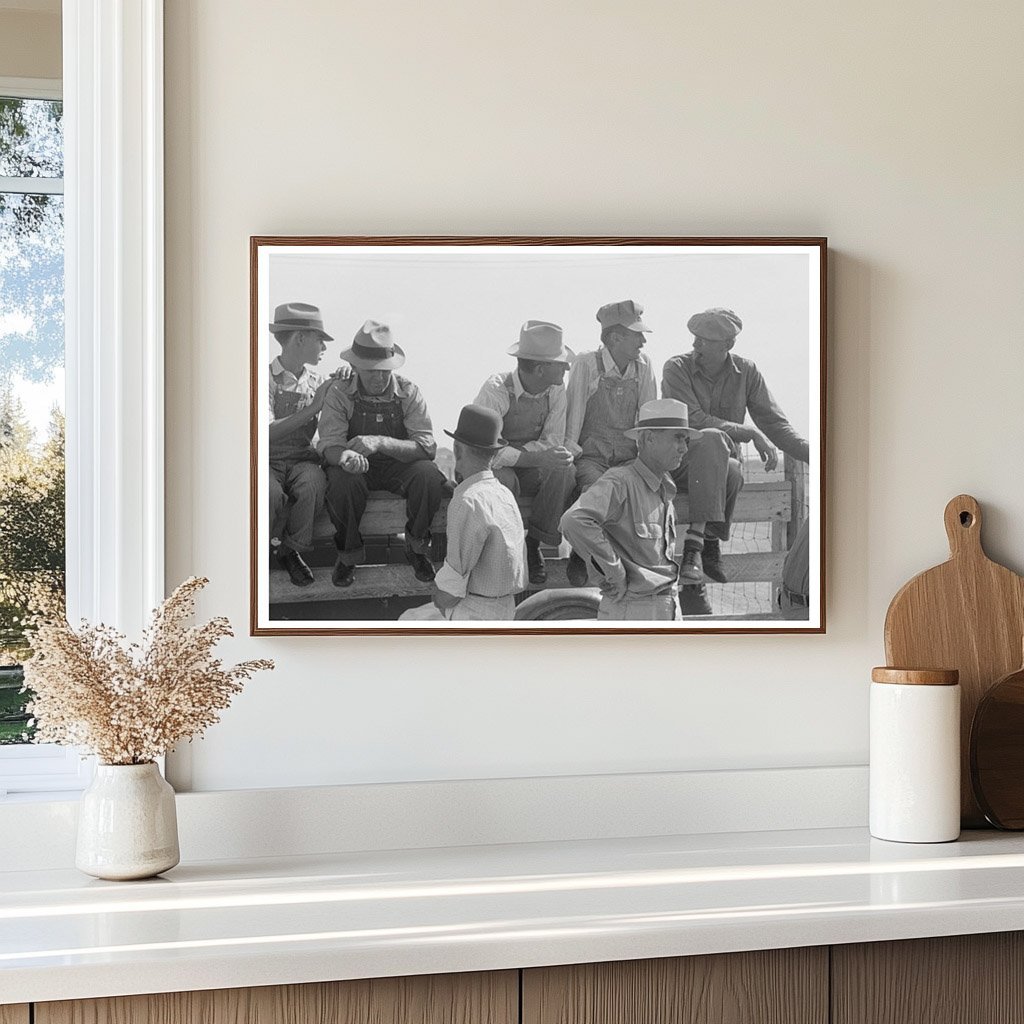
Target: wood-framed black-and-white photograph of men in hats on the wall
<point>537,436</point>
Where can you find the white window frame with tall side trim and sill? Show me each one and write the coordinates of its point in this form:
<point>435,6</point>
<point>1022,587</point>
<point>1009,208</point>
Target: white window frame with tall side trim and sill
<point>114,340</point>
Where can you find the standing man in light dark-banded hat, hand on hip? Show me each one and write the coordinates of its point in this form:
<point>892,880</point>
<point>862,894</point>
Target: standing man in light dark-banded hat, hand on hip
<point>625,524</point>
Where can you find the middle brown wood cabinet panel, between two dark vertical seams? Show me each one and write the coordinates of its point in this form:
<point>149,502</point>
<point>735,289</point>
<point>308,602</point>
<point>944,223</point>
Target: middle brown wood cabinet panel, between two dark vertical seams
<point>774,987</point>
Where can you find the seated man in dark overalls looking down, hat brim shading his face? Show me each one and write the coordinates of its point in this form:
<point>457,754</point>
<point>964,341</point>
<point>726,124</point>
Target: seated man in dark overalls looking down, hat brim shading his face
<point>382,417</point>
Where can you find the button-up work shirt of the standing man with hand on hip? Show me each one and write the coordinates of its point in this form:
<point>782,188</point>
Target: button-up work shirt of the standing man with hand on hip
<point>626,524</point>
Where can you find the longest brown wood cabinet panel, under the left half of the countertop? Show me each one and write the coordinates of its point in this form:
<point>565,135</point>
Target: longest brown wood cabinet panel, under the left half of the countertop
<point>453,999</point>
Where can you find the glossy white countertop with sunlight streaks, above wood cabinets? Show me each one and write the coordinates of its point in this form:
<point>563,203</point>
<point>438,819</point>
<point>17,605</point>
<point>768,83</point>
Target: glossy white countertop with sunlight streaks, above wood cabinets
<point>305,919</point>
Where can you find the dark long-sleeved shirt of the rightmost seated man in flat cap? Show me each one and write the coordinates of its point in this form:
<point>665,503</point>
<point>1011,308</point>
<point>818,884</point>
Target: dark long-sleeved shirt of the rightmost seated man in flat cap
<point>723,402</point>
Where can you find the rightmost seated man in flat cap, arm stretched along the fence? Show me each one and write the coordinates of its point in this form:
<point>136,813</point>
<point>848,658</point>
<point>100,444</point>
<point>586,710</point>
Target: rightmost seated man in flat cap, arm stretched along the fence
<point>720,390</point>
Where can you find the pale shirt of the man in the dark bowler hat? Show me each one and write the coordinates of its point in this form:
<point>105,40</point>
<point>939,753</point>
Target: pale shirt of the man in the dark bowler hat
<point>486,541</point>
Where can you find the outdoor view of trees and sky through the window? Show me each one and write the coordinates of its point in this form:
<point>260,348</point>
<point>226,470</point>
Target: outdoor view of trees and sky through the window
<point>32,430</point>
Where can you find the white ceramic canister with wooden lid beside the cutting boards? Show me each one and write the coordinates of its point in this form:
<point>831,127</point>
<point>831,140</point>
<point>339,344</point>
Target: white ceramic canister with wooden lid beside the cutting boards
<point>916,755</point>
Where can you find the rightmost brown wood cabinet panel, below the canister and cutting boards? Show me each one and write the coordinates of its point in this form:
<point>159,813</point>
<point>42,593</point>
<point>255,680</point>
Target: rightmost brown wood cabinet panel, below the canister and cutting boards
<point>962,979</point>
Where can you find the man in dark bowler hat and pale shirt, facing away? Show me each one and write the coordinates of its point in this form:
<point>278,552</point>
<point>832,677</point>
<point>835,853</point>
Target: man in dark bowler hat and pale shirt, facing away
<point>485,567</point>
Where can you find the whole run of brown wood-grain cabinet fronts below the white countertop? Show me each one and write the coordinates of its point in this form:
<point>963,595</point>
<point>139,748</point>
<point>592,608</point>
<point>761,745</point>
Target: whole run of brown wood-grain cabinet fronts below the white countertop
<point>973,979</point>
